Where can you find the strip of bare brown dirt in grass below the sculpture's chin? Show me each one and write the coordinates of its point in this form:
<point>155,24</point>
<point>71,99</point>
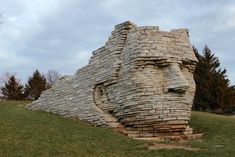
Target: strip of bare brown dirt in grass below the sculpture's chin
<point>157,146</point>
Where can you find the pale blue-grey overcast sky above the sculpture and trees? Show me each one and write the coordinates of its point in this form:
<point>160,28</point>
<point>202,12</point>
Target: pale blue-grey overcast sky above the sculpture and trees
<point>61,34</point>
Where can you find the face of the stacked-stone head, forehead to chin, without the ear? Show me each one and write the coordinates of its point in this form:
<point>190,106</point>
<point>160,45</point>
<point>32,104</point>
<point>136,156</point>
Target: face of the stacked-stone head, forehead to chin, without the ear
<point>159,84</point>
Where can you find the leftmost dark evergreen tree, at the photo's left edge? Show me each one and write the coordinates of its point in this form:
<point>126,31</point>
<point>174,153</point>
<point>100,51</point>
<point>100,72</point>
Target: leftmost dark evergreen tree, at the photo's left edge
<point>12,89</point>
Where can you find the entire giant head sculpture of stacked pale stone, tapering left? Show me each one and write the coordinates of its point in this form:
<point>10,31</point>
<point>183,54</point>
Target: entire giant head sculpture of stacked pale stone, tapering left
<point>141,80</point>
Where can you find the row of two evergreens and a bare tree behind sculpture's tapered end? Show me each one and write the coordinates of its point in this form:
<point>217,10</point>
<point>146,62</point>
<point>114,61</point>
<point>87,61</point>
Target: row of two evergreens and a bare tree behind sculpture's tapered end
<point>13,89</point>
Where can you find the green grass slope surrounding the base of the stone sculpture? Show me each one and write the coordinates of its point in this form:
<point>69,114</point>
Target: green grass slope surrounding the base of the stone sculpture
<point>26,133</point>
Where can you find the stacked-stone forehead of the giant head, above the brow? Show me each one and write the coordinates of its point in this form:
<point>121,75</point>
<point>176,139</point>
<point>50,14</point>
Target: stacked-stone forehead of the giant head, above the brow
<point>149,42</point>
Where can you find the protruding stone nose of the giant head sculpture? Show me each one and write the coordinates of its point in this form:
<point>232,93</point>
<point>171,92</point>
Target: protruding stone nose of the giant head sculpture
<point>175,80</point>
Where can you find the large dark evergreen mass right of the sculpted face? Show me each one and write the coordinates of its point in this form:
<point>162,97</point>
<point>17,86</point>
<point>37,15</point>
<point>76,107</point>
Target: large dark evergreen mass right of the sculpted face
<point>213,91</point>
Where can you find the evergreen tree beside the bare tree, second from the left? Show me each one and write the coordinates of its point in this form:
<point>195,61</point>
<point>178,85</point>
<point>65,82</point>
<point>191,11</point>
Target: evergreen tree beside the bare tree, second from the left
<point>36,84</point>
